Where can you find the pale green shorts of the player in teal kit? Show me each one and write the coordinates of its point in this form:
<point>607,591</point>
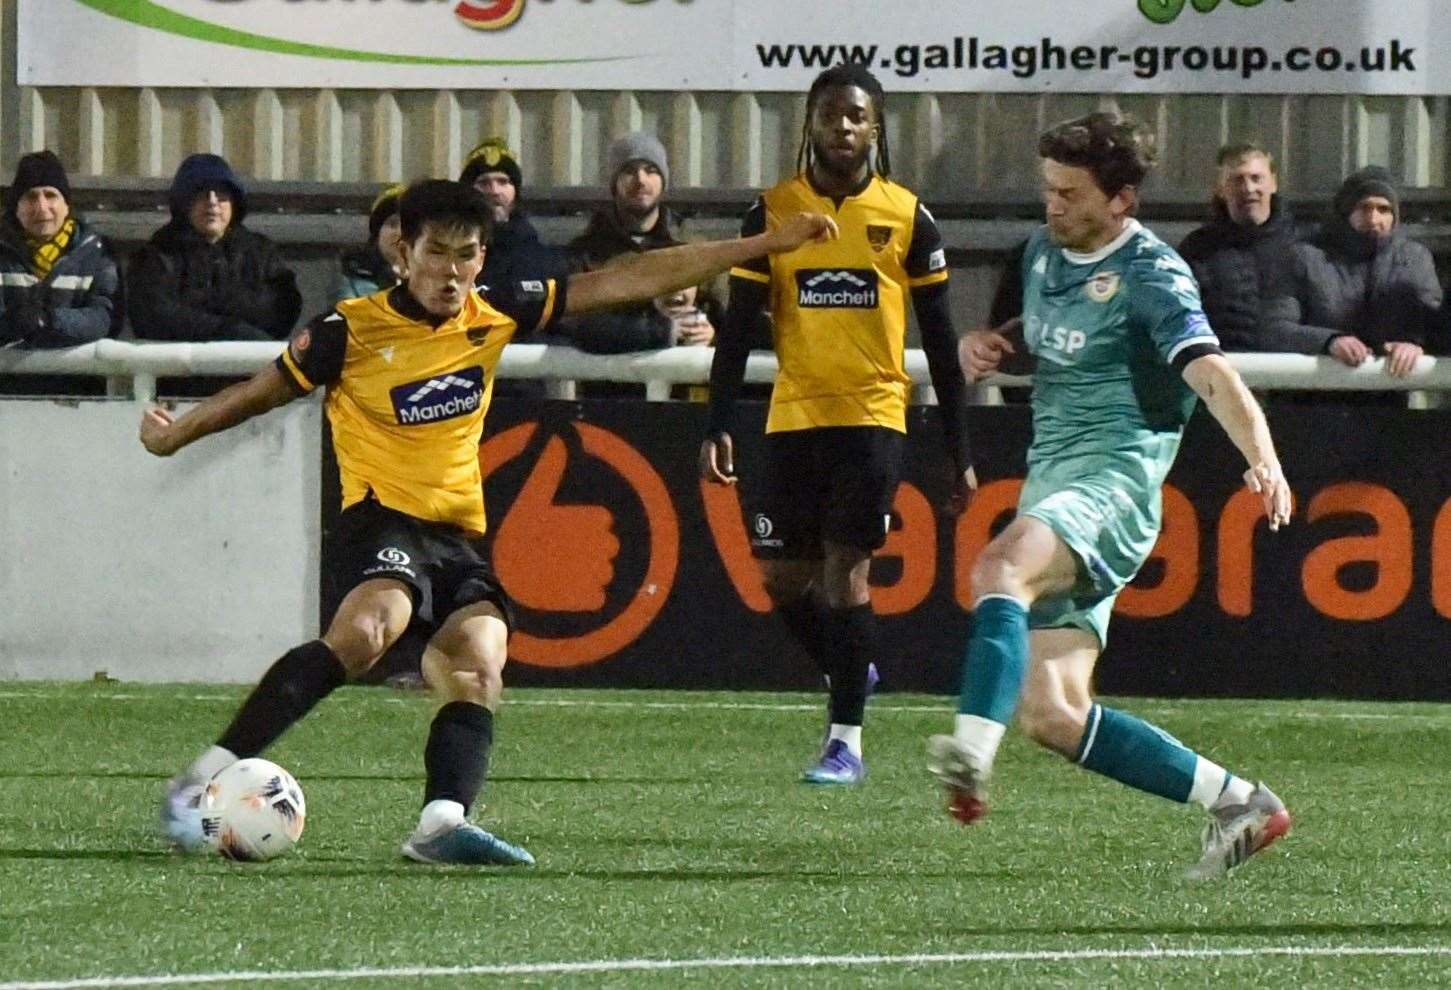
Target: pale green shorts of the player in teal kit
<point>1111,526</point>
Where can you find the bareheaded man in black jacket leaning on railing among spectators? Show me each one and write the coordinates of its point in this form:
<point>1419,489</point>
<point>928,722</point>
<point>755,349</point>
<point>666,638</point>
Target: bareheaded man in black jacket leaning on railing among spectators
<point>1246,259</point>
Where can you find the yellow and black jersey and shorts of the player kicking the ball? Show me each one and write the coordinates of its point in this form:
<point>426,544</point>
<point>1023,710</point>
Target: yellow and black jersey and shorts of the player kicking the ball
<point>407,398</point>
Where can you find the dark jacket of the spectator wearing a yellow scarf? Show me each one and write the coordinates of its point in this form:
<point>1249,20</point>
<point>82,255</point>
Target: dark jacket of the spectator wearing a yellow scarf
<point>78,303</point>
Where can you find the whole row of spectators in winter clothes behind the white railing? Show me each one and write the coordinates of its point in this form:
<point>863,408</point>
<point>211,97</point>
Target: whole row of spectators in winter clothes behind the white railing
<point>1356,287</point>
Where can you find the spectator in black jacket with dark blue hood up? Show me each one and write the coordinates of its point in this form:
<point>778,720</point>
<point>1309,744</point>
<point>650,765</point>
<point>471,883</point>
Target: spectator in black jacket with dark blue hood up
<point>205,277</point>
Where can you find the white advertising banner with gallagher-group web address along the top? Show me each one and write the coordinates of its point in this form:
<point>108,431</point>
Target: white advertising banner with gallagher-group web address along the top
<point>1373,47</point>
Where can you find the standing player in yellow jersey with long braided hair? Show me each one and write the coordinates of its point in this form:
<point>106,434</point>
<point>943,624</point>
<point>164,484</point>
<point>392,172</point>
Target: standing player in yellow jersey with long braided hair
<point>839,406</point>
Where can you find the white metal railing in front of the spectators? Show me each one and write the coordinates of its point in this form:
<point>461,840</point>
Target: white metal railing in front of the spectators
<point>143,364</point>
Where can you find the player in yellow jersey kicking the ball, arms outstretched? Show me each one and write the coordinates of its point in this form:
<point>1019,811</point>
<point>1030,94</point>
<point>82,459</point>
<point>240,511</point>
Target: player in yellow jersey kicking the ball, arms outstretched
<point>410,374</point>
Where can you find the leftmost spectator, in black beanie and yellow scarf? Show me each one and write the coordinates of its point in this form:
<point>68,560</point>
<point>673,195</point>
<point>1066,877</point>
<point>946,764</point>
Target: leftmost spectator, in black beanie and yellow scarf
<point>62,285</point>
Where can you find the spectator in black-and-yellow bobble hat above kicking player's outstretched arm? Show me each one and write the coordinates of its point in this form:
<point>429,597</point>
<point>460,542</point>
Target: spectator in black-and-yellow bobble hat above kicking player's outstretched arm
<point>514,252</point>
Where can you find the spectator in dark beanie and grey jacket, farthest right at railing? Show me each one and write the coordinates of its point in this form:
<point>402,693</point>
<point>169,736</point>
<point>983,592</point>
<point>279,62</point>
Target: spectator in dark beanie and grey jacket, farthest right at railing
<point>1373,290</point>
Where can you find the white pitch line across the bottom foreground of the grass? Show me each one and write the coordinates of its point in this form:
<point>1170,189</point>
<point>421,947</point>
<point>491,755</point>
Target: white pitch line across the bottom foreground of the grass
<point>735,963</point>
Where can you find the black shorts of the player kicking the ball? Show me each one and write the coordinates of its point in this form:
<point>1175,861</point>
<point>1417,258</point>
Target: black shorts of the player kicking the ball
<point>439,562</point>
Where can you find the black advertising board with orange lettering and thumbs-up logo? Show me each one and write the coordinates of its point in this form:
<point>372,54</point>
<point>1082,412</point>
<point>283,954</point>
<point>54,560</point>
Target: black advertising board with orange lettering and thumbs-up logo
<point>629,573</point>
